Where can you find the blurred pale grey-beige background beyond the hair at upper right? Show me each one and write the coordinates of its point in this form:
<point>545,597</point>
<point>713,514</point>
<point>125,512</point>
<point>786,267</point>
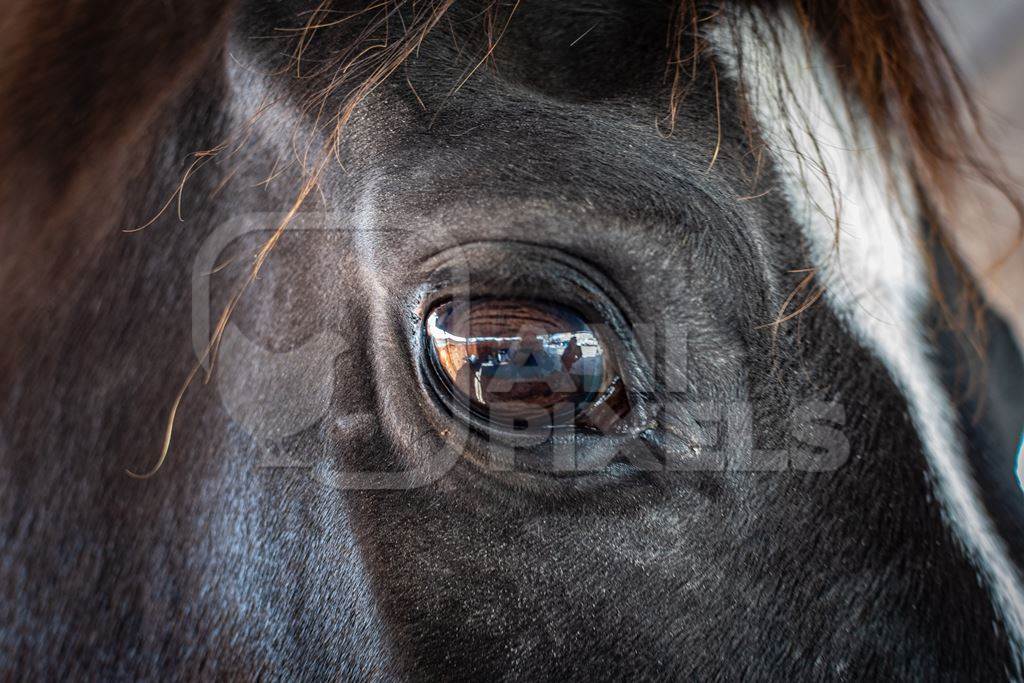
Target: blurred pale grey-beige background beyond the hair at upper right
<point>988,36</point>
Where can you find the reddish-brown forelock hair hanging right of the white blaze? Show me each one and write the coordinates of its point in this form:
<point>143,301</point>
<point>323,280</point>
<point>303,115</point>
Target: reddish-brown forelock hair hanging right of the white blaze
<point>900,74</point>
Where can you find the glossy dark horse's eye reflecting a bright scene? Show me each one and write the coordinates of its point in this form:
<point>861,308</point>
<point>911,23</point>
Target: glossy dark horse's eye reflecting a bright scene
<point>526,365</point>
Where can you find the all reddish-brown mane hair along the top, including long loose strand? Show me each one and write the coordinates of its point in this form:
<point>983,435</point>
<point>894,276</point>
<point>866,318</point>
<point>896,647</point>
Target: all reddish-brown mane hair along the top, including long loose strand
<point>79,88</point>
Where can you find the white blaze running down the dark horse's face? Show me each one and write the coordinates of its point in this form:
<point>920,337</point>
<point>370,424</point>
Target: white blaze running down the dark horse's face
<point>876,276</point>
